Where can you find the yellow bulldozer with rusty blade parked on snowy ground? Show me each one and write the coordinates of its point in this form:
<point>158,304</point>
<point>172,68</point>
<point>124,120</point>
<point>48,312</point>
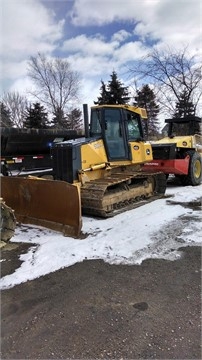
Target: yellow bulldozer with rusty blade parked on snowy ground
<point>99,174</point>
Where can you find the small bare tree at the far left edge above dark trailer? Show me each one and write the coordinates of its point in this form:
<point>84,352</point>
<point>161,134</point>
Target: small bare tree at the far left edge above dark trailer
<point>16,105</point>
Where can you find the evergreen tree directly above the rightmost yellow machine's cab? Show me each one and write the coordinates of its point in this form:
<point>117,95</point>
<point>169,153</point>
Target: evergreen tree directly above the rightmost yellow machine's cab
<point>184,107</point>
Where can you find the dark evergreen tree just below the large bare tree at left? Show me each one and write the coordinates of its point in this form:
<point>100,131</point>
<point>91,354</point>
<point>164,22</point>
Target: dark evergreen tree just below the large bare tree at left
<point>36,118</point>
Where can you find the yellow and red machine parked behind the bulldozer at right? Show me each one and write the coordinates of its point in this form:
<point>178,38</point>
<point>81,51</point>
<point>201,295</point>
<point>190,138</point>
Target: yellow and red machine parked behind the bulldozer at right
<point>179,153</point>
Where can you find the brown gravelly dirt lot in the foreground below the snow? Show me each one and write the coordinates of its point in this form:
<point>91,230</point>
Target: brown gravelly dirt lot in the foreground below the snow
<point>94,310</point>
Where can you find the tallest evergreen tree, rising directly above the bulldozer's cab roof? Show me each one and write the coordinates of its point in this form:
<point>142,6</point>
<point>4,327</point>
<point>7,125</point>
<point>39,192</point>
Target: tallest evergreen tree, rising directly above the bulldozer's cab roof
<point>113,93</point>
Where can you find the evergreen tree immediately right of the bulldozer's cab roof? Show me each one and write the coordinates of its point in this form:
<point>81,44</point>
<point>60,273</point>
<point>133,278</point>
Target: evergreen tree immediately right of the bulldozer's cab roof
<point>146,98</point>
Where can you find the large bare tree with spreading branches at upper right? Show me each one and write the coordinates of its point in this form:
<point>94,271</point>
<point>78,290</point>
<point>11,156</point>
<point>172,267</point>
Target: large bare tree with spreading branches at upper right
<point>172,73</point>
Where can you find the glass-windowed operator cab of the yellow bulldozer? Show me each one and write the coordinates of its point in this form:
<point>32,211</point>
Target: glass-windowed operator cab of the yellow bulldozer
<point>117,126</point>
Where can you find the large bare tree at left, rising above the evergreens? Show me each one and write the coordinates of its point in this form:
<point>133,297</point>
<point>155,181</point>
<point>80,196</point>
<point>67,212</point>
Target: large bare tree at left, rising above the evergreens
<point>57,85</point>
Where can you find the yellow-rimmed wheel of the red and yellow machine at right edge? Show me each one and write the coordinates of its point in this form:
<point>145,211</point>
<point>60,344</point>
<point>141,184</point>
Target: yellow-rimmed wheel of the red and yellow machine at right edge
<point>194,175</point>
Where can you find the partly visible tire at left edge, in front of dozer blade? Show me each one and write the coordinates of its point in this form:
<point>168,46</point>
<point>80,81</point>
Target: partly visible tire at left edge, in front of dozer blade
<point>8,222</point>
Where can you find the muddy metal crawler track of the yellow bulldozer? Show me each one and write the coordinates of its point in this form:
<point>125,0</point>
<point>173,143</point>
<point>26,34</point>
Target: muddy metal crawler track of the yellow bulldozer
<point>113,195</point>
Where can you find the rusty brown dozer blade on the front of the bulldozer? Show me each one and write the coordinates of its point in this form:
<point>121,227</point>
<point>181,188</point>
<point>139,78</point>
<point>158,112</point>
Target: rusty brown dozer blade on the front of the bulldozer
<point>49,203</point>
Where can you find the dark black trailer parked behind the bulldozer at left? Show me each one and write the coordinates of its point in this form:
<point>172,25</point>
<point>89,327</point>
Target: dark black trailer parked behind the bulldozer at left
<point>30,150</point>
